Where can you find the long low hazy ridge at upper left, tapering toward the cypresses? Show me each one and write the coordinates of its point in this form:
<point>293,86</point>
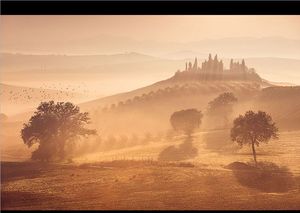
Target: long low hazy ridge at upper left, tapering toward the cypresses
<point>39,63</point>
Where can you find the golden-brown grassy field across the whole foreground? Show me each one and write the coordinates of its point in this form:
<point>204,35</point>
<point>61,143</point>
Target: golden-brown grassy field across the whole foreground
<point>132,178</point>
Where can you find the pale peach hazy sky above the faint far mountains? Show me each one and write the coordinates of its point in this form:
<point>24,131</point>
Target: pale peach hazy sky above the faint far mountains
<point>20,29</point>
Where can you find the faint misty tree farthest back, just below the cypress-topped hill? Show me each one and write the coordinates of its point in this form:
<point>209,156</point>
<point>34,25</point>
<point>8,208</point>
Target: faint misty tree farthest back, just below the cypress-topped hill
<point>222,106</point>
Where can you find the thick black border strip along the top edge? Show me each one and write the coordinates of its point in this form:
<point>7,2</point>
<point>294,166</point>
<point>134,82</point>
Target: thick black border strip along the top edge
<point>213,7</point>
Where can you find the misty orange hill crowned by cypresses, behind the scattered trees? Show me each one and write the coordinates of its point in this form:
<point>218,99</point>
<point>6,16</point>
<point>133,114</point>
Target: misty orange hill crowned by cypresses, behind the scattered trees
<point>147,110</point>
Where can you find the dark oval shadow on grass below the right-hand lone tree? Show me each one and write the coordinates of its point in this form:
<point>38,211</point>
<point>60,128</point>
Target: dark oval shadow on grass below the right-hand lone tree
<point>266,176</point>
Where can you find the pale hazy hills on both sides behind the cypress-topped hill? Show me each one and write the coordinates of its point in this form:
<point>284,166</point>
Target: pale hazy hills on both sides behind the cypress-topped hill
<point>116,73</point>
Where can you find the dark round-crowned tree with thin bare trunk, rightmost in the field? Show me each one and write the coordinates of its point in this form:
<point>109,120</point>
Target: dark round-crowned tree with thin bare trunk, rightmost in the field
<point>253,129</point>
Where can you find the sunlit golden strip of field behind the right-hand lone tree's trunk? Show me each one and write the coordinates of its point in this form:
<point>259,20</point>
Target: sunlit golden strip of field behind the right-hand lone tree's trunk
<point>215,149</point>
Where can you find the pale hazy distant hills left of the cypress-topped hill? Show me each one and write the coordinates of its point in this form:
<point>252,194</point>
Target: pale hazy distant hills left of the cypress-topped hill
<point>95,73</point>
